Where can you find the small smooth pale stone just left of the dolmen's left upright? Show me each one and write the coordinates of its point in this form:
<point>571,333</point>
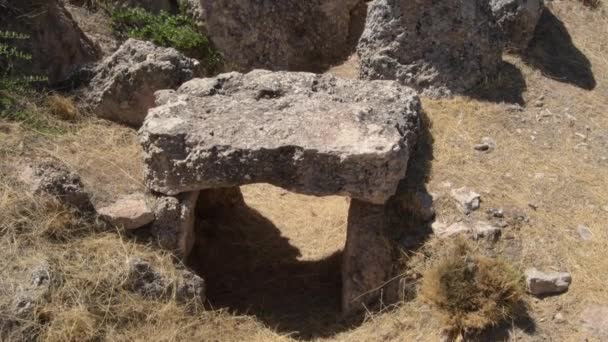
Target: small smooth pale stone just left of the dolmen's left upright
<point>130,212</point>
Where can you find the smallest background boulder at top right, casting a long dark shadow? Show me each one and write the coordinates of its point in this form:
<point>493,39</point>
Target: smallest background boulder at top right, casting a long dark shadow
<point>517,19</point>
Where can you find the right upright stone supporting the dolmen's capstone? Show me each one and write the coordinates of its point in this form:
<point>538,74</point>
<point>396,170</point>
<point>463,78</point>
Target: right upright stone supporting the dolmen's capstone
<point>367,257</point>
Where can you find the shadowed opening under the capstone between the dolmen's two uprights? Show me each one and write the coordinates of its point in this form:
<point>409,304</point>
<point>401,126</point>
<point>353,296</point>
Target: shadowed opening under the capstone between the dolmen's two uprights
<point>278,258</point>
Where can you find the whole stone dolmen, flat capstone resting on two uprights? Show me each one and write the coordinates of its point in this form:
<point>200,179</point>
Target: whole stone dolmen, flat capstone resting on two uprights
<point>307,133</point>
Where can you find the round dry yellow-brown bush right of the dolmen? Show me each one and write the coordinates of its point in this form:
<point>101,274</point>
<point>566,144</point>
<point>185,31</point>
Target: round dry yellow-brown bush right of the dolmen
<point>472,292</point>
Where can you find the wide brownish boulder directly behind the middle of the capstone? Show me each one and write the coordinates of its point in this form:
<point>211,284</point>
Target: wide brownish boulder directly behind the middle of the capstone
<point>290,35</point>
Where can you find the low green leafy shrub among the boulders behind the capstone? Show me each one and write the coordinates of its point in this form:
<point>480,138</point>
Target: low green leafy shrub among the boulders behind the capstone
<point>164,29</point>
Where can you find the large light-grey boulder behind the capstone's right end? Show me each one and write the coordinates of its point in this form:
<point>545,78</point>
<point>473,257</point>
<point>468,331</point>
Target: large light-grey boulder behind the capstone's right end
<point>437,47</point>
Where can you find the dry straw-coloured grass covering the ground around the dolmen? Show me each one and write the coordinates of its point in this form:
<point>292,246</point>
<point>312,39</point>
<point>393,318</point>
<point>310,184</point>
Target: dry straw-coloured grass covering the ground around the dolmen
<point>551,156</point>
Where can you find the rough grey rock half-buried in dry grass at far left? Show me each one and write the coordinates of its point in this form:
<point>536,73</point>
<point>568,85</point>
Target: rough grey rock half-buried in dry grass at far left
<point>56,179</point>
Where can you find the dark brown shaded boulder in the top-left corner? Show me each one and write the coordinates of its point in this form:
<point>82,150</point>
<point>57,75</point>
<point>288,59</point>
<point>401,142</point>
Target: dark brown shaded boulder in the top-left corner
<point>58,47</point>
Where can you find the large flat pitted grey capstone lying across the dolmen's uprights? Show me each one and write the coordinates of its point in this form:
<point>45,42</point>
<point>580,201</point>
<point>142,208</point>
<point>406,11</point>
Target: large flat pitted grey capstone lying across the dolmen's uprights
<point>308,133</point>
